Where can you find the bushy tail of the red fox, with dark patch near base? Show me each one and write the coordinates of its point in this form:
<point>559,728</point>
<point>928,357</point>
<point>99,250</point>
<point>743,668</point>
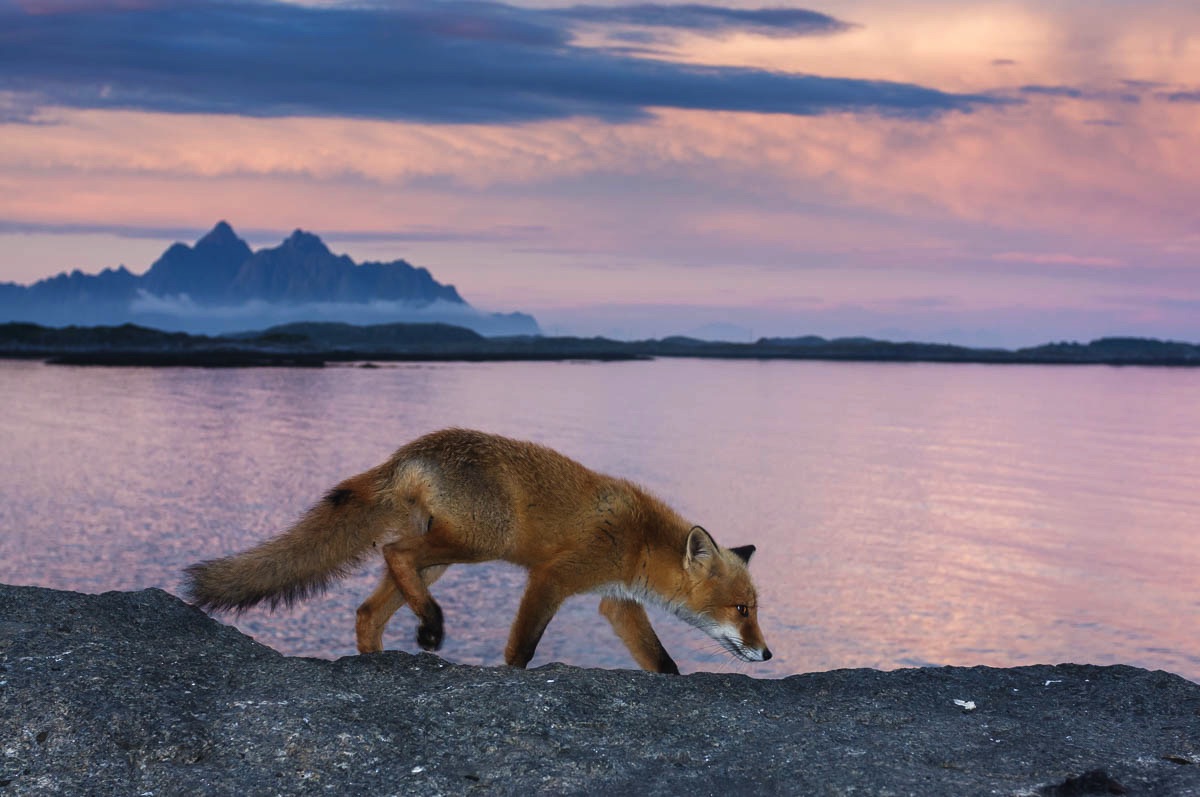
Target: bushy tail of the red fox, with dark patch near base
<point>325,546</point>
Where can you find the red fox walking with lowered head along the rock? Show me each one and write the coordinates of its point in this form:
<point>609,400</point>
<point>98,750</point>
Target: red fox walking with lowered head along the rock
<point>460,496</point>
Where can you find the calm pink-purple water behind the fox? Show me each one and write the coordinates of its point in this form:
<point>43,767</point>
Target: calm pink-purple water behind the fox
<point>904,514</point>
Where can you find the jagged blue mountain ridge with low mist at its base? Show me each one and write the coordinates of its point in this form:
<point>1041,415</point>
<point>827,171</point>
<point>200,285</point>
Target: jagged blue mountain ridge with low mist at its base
<point>220,285</point>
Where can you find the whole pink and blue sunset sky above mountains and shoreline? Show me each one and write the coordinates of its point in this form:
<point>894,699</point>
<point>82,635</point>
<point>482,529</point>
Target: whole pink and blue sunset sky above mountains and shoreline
<point>963,171</point>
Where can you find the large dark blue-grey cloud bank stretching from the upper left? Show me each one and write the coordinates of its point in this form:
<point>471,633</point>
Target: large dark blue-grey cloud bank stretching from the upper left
<point>423,62</point>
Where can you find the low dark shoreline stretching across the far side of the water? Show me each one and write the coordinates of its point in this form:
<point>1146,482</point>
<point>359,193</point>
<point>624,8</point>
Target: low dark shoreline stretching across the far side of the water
<point>316,345</point>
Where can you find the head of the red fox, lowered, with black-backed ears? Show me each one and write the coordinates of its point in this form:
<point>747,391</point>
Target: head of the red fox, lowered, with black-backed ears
<point>719,597</point>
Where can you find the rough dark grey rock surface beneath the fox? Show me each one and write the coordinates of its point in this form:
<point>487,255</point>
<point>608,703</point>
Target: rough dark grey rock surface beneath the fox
<point>141,694</point>
